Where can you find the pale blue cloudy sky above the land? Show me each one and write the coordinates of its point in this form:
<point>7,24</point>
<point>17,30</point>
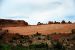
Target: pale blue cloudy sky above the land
<point>33,11</point>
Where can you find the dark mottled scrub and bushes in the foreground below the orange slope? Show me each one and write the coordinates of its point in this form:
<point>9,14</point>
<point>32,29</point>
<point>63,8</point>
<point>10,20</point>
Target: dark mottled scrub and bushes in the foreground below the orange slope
<point>37,41</point>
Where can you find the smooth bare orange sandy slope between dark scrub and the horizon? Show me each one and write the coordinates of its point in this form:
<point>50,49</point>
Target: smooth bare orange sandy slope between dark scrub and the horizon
<point>45,29</point>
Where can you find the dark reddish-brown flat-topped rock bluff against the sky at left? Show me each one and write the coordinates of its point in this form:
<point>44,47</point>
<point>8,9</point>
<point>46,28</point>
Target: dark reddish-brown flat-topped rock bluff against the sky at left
<point>7,22</point>
